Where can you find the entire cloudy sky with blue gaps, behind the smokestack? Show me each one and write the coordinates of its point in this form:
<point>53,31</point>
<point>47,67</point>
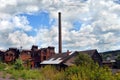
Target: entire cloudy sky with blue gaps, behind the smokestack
<point>86,24</point>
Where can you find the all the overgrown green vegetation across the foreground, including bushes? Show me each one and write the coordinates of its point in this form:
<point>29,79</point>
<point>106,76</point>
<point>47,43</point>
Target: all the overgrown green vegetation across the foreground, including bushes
<point>81,71</point>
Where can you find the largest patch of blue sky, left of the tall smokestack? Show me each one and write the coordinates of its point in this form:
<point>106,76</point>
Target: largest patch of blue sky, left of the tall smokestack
<point>41,18</point>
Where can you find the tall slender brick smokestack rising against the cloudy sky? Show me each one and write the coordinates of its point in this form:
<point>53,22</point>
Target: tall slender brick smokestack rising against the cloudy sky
<point>59,33</point>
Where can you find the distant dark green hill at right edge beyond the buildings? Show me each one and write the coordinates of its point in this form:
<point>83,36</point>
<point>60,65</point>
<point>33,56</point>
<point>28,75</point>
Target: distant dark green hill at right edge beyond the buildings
<point>110,54</point>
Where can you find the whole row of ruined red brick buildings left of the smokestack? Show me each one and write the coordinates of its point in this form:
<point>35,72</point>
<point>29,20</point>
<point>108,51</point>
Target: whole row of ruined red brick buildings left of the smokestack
<point>31,57</point>
